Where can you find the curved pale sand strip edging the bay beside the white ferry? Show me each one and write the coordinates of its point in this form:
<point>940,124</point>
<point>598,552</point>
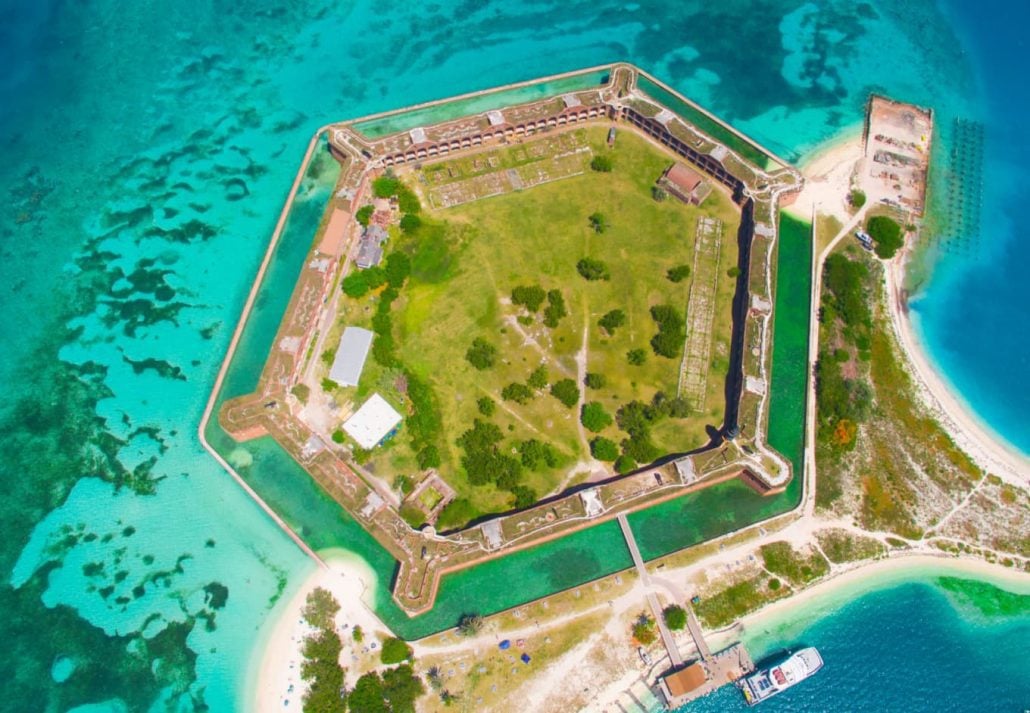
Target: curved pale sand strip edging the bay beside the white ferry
<point>788,616</point>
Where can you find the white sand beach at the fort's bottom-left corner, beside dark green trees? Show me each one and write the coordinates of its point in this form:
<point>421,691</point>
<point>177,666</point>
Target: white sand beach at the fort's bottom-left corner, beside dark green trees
<point>276,684</point>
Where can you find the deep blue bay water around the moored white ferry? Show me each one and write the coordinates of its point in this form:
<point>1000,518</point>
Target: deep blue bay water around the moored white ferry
<point>923,646</point>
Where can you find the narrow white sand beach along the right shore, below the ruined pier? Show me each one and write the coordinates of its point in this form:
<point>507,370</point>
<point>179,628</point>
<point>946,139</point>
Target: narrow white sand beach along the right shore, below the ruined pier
<point>988,450</point>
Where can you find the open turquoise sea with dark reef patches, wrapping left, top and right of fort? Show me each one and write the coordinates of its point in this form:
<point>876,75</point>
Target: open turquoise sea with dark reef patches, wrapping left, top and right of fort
<point>148,150</point>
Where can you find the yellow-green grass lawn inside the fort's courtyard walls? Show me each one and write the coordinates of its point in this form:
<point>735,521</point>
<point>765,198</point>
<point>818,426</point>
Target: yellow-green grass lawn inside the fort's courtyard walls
<point>466,262</point>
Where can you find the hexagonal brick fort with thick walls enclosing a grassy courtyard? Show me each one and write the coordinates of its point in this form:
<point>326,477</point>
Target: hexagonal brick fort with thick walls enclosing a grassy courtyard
<point>528,311</point>
